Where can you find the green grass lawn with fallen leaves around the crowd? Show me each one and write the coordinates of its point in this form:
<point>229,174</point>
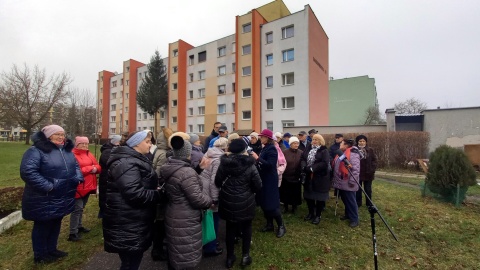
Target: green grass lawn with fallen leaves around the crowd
<point>432,235</point>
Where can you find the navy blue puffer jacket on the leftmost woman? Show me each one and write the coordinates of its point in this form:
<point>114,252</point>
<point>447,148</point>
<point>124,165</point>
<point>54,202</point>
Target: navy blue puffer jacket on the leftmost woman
<point>51,176</point>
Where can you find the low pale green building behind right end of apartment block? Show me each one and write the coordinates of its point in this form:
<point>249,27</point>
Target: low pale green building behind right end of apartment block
<point>350,99</point>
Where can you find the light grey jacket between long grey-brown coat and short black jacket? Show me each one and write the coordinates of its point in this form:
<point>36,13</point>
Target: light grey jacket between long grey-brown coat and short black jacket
<point>208,174</point>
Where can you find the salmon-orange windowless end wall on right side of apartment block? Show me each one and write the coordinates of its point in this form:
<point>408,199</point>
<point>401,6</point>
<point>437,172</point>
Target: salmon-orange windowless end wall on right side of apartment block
<point>318,69</point>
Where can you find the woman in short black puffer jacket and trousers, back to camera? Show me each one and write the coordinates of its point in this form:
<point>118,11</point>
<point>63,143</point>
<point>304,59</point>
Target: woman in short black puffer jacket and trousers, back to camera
<point>238,180</point>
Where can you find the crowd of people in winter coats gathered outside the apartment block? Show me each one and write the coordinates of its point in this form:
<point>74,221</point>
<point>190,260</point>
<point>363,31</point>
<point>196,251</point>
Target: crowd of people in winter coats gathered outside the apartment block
<point>155,191</point>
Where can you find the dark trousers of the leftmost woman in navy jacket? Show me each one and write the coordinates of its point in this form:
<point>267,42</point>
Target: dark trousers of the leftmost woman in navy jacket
<point>45,236</point>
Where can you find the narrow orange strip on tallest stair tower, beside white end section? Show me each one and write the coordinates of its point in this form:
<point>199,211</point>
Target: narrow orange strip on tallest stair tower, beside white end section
<point>257,21</point>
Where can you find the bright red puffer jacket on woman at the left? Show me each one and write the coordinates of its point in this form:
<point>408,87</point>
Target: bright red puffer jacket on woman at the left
<point>86,161</point>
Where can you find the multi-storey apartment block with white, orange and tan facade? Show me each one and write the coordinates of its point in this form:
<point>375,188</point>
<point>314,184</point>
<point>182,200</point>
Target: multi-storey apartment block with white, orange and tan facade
<point>271,73</point>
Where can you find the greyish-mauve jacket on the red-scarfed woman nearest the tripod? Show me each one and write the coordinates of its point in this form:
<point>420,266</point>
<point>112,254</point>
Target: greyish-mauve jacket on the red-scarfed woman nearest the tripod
<point>347,182</point>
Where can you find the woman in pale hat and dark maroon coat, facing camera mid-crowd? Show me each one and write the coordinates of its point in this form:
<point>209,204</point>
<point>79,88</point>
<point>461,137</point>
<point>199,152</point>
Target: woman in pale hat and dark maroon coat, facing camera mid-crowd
<point>291,188</point>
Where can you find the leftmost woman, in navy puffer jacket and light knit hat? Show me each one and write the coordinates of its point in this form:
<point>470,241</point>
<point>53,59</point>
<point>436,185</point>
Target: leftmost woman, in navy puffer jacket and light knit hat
<point>51,176</point>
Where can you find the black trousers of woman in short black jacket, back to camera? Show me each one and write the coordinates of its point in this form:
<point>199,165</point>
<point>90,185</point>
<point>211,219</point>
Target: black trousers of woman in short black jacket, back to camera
<point>231,228</point>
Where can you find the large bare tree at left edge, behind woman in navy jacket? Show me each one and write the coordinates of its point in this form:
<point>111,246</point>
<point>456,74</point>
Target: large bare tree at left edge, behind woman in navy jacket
<point>28,95</point>
